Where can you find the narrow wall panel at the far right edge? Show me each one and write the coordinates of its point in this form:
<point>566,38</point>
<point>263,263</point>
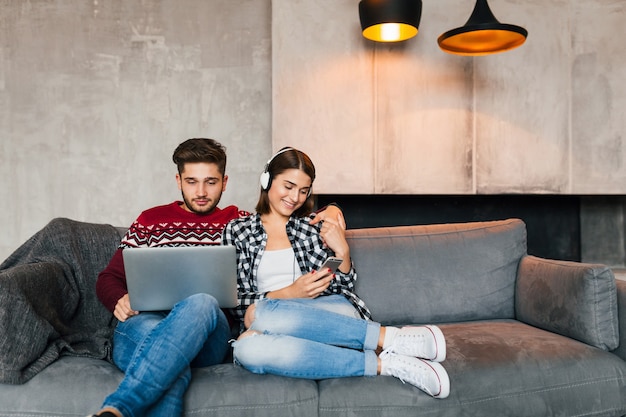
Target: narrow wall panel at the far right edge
<point>599,97</point>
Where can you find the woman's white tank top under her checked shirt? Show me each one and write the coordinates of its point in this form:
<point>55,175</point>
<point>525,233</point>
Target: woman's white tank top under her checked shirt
<point>277,269</point>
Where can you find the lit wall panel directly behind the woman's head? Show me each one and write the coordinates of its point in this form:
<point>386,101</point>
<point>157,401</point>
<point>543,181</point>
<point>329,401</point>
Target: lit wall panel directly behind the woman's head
<point>322,91</point>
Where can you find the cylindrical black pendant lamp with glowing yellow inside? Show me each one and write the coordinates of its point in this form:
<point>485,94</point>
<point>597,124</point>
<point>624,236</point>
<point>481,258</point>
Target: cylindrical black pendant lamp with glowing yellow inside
<point>390,20</point>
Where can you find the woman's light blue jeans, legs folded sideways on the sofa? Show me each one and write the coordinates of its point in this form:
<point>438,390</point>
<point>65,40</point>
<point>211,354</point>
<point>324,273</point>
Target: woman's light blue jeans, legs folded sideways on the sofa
<point>309,338</point>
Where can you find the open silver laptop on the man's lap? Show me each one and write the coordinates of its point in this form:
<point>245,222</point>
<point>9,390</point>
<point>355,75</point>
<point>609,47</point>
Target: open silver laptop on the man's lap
<point>157,278</point>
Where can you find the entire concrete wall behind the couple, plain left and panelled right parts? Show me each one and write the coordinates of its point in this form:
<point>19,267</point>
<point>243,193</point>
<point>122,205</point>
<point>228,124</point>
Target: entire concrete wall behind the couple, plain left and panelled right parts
<point>95,95</point>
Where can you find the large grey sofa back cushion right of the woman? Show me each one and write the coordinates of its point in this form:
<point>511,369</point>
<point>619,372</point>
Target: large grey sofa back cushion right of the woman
<point>438,273</point>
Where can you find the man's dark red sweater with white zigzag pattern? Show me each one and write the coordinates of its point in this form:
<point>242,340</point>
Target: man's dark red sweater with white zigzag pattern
<point>167,225</point>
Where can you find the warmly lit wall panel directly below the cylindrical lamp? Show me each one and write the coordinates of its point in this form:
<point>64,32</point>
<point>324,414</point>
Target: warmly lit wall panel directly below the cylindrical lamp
<point>425,134</point>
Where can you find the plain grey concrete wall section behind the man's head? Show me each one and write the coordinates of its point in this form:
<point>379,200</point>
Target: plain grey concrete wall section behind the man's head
<point>95,95</point>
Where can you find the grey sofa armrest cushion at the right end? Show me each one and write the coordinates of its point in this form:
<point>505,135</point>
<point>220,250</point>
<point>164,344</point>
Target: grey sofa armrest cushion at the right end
<point>574,299</point>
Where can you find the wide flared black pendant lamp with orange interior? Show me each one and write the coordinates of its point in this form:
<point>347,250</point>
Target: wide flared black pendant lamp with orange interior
<point>482,34</point>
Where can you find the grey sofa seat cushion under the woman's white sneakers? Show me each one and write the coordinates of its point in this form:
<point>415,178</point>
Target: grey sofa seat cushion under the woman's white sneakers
<point>499,368</point>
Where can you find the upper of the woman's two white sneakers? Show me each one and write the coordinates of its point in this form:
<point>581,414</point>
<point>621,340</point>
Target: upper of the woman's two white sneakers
<point>425,342</point>
